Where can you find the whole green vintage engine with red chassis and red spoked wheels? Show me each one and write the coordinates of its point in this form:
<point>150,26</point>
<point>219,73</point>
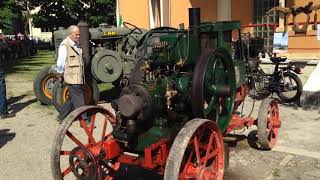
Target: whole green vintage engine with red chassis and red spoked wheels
<point>180,102</point>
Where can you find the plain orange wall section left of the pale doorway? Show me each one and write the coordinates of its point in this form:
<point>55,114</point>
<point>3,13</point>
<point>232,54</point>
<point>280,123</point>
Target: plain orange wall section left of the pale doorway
<point>135,12</point>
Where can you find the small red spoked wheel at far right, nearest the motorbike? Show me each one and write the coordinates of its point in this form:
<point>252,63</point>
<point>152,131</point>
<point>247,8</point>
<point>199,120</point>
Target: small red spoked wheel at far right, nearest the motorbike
<point>268,123</point>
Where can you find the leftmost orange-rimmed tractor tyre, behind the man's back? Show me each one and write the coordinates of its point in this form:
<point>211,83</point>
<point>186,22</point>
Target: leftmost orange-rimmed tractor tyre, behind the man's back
<point>43,86</point>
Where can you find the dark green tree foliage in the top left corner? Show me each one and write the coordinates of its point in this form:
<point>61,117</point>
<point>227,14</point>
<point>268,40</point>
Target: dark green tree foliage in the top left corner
<point>10,12</point>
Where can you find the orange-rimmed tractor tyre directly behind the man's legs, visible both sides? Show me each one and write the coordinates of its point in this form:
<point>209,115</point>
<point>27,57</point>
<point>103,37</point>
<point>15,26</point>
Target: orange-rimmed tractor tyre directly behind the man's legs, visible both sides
<point>61,94</point>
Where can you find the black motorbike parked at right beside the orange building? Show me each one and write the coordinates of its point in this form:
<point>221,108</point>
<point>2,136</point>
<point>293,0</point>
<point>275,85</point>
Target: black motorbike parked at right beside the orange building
<point>283,81</point>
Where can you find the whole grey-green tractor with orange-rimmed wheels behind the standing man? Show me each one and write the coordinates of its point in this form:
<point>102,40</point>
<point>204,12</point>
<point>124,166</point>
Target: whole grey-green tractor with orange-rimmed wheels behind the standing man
<point>112,50</point>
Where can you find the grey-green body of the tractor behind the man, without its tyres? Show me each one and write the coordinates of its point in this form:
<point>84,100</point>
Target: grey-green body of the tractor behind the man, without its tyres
<point>112,49</point>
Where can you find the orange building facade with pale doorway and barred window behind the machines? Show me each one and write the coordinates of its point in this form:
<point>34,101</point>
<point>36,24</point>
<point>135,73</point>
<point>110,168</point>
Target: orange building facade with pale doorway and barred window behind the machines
<point>252,14</point>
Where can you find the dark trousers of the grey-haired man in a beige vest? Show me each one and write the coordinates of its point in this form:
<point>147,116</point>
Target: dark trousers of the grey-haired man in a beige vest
<point>75,100</point>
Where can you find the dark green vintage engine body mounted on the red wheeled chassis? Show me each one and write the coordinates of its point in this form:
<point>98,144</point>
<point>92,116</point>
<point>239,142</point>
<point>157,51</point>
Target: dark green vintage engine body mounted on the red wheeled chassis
<point>180,74</point>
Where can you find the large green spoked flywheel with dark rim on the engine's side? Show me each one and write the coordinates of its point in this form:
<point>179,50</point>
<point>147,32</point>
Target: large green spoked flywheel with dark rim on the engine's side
<point>214,87</point>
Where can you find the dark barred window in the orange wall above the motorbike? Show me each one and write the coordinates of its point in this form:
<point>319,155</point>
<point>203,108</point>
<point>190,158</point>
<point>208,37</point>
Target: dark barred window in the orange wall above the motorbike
<point>259,12</point>
